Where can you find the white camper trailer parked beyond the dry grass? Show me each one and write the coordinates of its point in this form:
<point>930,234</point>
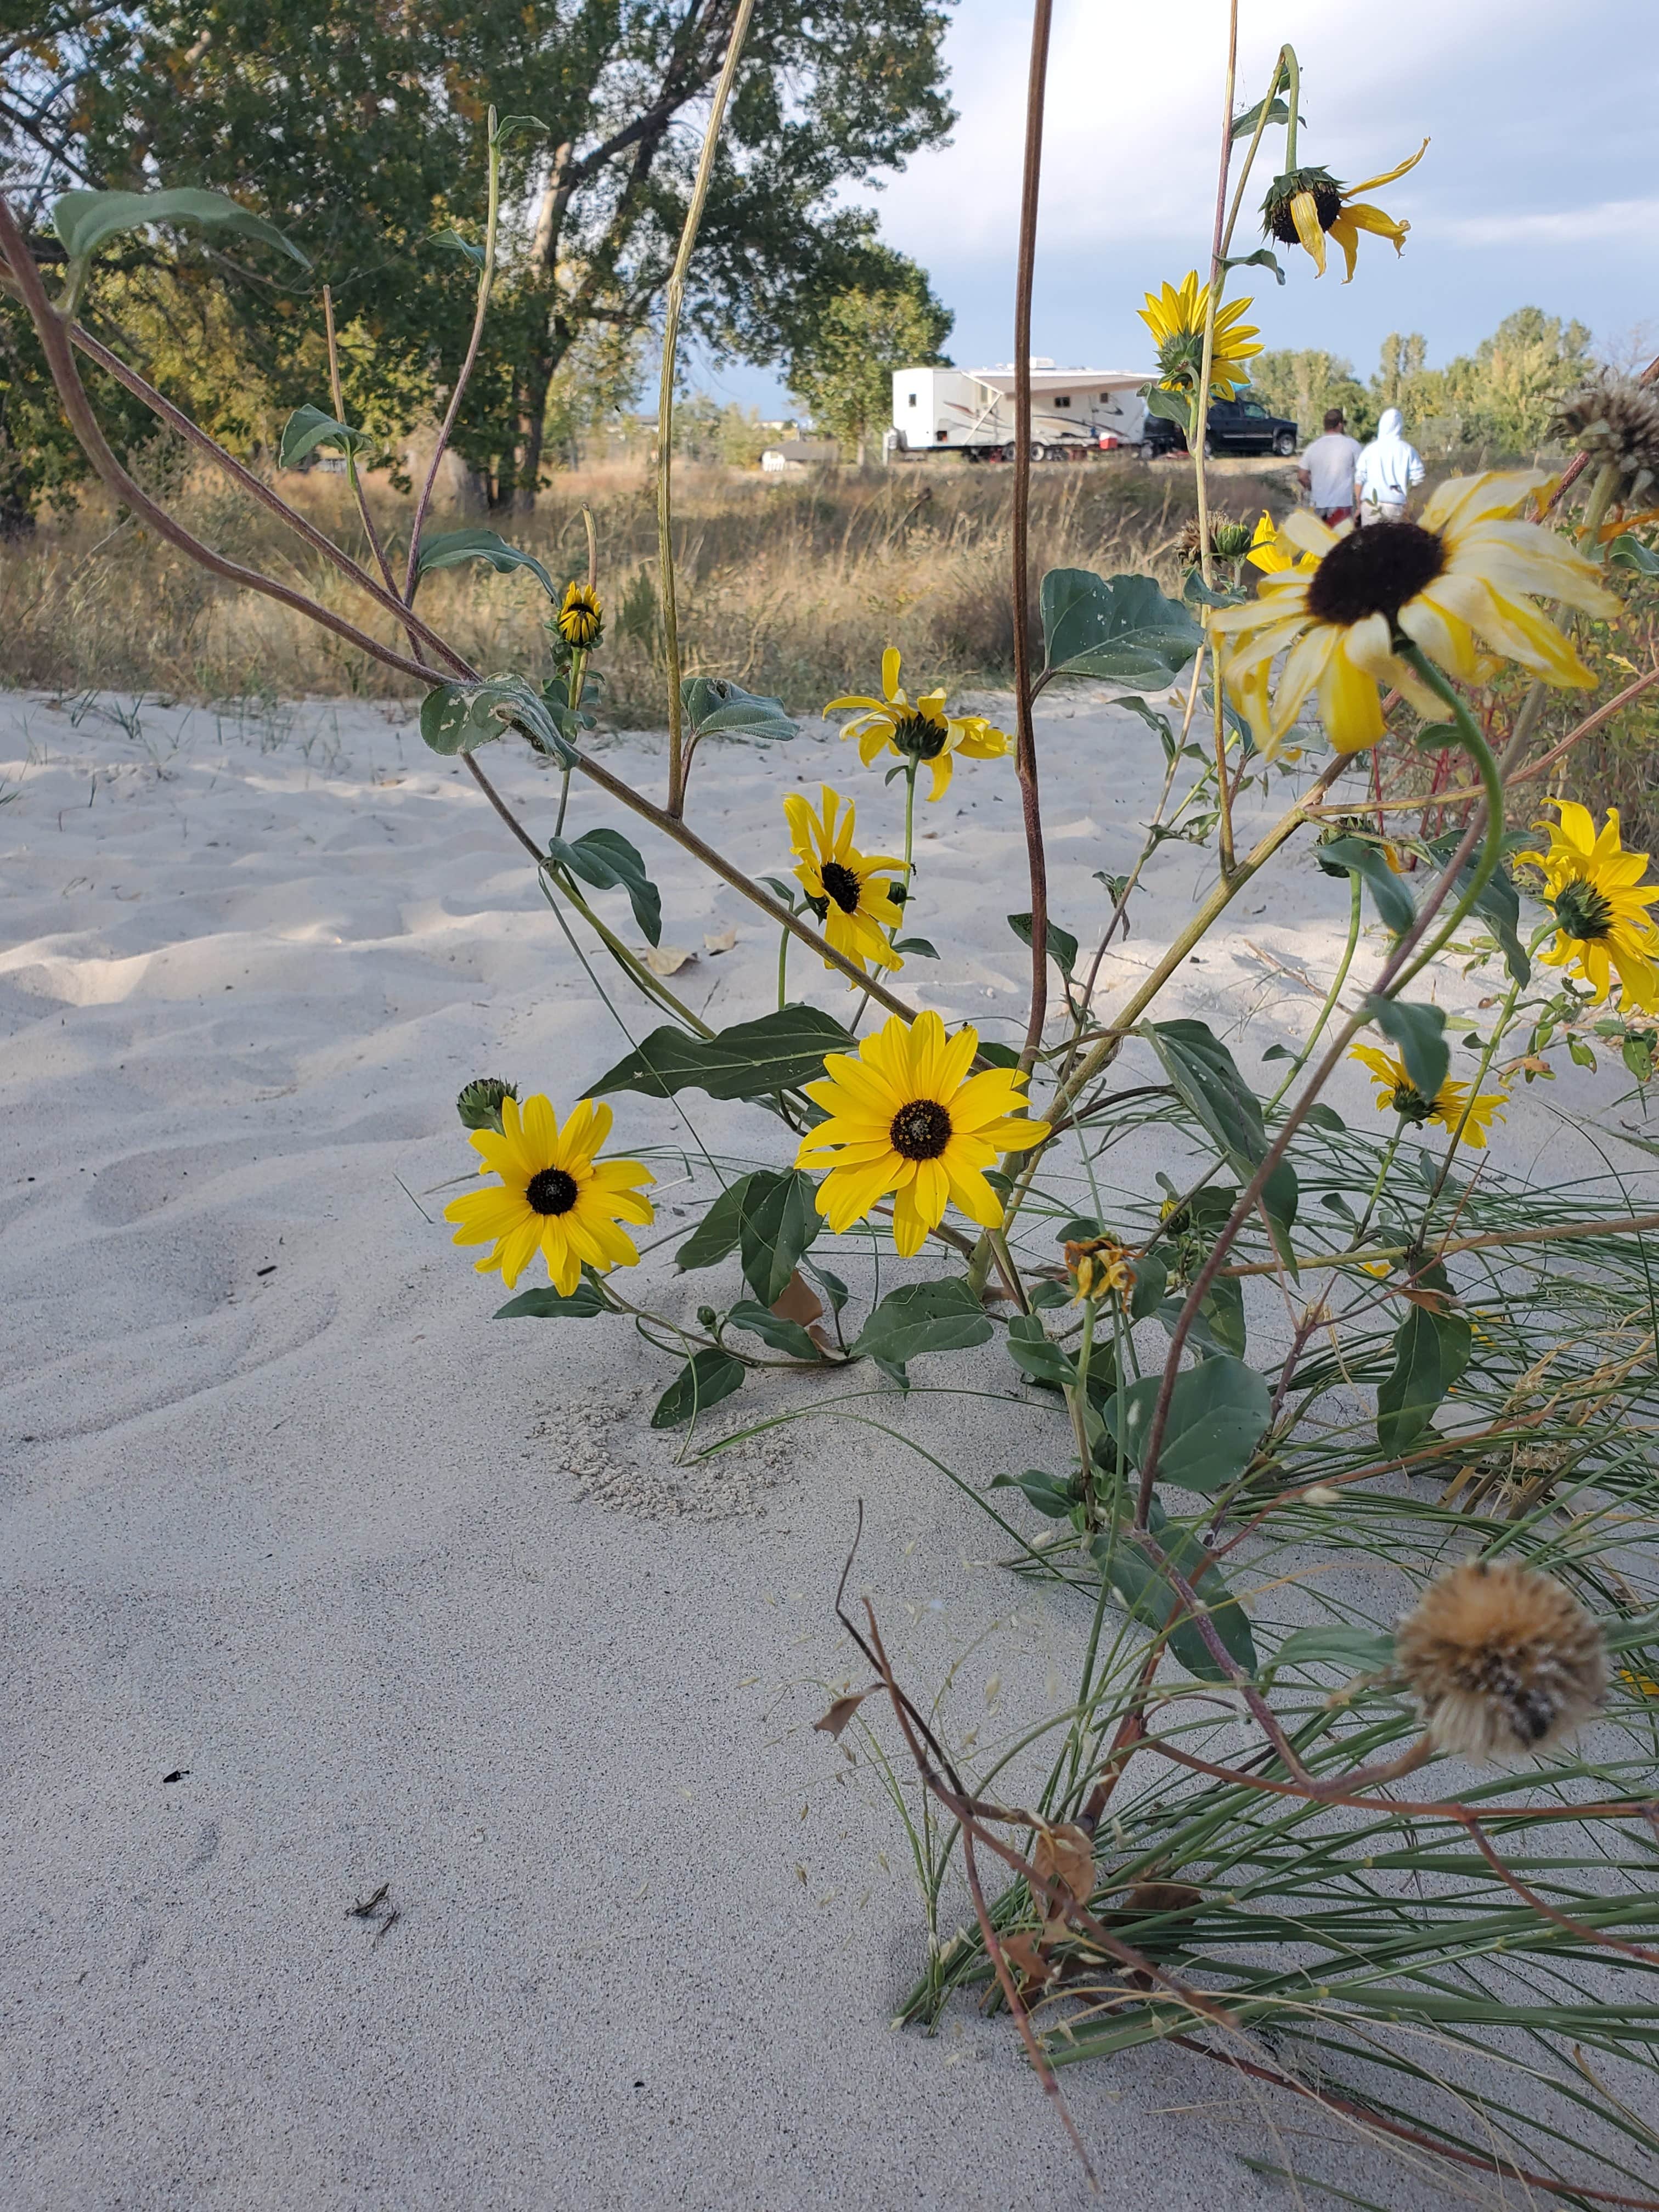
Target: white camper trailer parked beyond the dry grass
<point>1074,413</point>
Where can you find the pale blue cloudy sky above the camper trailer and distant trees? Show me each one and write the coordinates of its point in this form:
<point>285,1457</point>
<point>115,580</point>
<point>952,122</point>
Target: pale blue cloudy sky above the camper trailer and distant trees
<point>1538,187</point>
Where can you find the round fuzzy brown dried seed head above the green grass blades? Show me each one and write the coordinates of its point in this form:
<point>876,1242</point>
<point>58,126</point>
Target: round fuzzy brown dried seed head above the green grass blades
<point>1501,1660</point>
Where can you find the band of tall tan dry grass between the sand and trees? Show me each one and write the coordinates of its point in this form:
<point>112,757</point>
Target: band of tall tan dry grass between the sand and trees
<point>789,587</point>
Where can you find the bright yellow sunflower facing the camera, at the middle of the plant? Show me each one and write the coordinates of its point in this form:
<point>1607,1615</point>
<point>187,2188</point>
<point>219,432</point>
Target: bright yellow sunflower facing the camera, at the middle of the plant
<point>908,1118</point>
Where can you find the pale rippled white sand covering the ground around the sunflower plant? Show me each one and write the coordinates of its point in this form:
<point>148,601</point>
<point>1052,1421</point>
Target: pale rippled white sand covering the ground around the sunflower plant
<point>284,1510</point>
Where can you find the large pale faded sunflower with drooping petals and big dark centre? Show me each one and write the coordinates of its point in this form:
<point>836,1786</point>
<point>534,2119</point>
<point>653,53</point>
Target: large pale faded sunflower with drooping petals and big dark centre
<point>1443,583</point>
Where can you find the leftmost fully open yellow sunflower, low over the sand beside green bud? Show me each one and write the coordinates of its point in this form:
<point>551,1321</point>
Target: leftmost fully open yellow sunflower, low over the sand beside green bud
<point>556,1196</point>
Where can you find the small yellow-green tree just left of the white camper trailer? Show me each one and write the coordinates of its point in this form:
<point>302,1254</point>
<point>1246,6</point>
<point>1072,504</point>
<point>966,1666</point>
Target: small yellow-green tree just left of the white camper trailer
<point>846,353</point>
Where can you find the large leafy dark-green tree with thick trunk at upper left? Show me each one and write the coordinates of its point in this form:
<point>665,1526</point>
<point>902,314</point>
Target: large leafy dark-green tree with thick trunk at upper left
<point>359,129</point>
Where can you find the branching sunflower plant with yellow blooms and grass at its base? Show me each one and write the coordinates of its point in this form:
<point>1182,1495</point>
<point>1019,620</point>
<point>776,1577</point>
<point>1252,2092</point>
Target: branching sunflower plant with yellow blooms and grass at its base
<point>1346,1507</point>
